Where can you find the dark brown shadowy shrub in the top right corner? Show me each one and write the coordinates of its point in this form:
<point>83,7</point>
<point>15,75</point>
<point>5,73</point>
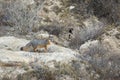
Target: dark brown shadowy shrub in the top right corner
<point>108,9</point>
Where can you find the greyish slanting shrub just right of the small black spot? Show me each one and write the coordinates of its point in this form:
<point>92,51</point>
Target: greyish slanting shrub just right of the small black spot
<point>92,31</point>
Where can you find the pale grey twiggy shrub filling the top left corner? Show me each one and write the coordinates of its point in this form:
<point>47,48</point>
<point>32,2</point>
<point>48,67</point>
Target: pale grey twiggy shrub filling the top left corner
<point>22,14</point>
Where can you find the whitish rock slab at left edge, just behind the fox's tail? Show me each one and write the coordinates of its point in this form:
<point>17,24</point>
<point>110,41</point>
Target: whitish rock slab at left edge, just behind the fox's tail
<point>12,43</point>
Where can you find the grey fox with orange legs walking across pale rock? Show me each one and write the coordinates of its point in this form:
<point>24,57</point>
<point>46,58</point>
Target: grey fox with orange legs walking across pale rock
<point>36,44</point>
